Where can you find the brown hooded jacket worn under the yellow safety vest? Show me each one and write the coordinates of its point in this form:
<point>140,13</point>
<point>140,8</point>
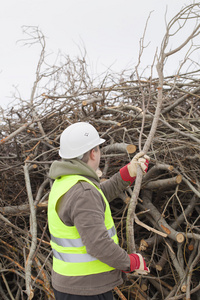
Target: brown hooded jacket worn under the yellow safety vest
<point>83,206</point>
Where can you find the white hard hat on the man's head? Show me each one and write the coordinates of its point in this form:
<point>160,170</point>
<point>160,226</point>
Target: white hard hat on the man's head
<point>77,139</point>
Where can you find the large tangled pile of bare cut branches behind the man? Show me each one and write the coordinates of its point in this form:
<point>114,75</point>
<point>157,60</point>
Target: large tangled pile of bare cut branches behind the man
<point>167,221</point>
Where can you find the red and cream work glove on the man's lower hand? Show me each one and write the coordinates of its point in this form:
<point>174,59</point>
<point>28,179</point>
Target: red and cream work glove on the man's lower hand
<point>138,264</point>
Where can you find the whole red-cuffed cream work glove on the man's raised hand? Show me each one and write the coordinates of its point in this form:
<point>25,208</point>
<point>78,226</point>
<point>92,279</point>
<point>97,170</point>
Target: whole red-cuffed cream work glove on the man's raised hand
<point>129,172</point>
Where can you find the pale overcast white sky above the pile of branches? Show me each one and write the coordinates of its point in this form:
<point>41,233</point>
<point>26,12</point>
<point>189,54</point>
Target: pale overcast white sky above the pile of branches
<point>109,30</point>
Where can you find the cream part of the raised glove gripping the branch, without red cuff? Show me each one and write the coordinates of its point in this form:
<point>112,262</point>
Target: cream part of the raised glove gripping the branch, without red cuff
<point>139,159</point>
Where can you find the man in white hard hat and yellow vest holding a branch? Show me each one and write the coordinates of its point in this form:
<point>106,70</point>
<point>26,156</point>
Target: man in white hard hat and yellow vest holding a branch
<point>87,260</point>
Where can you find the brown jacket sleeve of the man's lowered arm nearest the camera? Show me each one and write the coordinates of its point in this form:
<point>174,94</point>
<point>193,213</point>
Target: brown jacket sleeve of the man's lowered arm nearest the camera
<point>86,210</point>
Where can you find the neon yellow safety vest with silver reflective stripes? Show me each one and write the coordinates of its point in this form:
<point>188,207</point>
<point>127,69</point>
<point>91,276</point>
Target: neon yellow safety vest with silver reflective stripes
<point>70,257</point>
